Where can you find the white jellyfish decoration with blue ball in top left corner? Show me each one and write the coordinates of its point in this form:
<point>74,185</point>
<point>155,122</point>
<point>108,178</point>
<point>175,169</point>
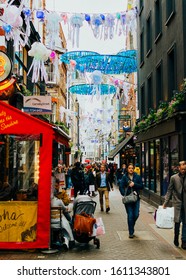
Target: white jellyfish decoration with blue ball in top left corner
<point>12,23</point>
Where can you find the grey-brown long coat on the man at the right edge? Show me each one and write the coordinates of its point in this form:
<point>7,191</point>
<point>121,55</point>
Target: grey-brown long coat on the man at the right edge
<point>175,188</point>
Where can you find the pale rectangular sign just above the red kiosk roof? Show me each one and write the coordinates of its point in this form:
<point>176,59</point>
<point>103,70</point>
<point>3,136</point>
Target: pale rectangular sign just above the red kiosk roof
<point>37,104</point>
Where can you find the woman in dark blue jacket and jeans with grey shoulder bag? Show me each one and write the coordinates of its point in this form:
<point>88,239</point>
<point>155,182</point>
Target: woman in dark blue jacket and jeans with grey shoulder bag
<point>131,181</point>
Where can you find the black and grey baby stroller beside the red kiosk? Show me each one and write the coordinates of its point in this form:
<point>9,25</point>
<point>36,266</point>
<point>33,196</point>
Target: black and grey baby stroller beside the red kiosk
<point>83,203</point>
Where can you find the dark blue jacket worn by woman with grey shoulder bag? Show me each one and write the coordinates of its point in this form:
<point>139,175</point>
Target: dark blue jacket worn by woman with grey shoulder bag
<point>138,184</point>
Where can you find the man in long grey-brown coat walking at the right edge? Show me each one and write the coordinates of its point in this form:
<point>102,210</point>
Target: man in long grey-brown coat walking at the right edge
<point>177,191</point>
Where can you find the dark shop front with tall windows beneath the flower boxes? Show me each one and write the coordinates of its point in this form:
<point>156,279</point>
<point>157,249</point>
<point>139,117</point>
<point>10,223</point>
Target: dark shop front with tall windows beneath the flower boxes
<point>161,147</point>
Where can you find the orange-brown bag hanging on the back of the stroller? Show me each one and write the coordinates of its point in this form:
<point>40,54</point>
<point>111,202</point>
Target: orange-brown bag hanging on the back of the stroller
<point>83,224</point>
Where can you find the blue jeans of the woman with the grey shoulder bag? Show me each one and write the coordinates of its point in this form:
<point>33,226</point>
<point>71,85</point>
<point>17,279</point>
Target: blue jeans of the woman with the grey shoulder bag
<point>132,210</point>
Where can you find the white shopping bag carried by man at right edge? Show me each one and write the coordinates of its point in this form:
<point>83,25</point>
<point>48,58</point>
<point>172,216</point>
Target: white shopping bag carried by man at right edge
<point>165,217</point>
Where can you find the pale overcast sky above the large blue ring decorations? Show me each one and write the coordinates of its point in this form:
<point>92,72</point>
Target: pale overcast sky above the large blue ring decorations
<point>87,41</point>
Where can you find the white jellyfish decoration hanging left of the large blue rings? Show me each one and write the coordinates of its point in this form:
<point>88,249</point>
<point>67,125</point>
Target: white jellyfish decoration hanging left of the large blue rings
<point>40,54</point>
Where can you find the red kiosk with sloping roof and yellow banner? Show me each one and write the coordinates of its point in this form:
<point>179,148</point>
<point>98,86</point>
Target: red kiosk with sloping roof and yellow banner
<point>26,145</point>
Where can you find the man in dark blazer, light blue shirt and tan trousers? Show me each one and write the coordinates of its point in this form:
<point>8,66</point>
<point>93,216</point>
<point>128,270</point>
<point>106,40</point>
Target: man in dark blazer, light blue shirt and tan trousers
<point>103,185</point>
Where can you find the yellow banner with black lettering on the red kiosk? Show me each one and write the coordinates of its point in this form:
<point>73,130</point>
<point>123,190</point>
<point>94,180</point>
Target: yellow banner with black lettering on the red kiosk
<point>18,221</point>
